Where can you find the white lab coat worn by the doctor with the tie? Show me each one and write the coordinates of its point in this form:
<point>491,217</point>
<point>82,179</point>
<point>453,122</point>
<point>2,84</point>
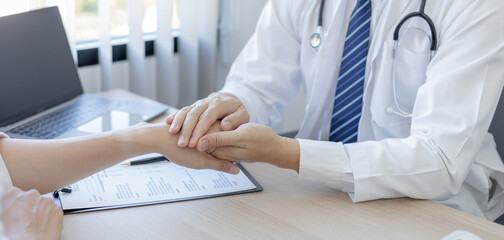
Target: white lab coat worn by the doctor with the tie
<point>444,152</point>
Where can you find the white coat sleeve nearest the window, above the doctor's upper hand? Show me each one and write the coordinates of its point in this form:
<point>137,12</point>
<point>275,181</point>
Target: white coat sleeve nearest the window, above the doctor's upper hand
<point>266,75</point>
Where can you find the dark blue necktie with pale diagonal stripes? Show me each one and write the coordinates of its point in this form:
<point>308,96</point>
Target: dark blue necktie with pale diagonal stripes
<point>348,99</point>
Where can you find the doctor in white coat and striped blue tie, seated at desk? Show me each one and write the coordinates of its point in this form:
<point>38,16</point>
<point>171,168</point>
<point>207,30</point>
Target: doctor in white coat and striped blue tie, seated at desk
<point>393,108</point>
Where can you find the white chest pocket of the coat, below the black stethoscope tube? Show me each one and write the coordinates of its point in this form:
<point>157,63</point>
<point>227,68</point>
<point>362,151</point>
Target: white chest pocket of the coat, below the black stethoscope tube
<point>399,73</point>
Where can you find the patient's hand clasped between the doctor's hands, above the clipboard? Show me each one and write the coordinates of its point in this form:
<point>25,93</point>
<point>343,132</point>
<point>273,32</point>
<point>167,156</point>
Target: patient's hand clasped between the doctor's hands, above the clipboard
<point>156,138</point>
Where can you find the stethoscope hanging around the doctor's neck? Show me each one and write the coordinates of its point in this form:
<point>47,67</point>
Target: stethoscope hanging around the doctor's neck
<point>317,38</point>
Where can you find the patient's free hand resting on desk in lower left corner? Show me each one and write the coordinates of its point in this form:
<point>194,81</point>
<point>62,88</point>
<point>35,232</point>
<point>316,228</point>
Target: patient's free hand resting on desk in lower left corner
<point>27,215</point>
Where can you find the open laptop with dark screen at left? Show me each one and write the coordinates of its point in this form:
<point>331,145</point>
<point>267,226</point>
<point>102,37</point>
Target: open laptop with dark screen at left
<point>41,95</point>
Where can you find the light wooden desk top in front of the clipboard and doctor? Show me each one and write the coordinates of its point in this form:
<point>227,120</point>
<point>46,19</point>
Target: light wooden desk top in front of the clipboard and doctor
<point>288,208</point>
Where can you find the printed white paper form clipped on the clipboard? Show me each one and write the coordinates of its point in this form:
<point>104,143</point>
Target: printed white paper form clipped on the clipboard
<point>156,182</point>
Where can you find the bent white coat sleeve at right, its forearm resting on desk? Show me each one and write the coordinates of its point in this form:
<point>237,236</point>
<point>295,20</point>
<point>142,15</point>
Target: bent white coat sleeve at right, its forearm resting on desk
<point>451,115</point>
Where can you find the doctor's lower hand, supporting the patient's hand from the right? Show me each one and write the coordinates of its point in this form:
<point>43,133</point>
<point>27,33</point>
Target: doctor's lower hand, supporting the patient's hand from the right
<point>252,143</point>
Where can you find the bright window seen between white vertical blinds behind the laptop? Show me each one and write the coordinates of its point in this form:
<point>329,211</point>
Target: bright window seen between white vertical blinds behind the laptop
<point>85,23</point>
